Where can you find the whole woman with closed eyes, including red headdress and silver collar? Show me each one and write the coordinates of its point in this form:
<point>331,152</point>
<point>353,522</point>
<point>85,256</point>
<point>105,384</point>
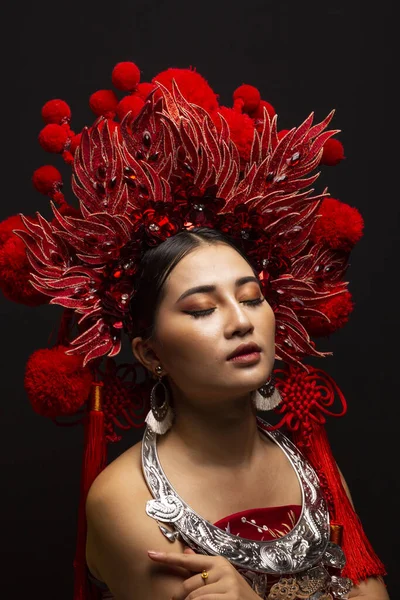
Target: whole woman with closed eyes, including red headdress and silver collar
<point>196,231</point>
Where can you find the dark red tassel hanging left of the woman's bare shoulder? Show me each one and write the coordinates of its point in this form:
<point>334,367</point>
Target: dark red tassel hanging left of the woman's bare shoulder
<point>94,461</point>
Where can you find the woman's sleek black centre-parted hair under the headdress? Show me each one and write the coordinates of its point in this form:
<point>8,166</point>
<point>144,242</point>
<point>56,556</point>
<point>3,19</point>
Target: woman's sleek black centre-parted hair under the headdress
<point>155,266</point>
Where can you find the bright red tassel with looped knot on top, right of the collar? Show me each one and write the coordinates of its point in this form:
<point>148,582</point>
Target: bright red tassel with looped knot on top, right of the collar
<point>308,396</point>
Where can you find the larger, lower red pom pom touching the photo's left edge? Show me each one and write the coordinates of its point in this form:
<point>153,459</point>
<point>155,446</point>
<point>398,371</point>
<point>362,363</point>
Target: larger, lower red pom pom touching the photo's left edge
<point>13,260</point>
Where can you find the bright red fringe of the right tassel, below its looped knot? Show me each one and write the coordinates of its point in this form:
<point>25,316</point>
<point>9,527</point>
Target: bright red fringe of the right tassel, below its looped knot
<point>361,560</point>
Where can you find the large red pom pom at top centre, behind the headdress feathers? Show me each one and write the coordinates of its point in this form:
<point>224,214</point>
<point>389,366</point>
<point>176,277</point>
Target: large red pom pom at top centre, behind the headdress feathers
<point>192,86</point>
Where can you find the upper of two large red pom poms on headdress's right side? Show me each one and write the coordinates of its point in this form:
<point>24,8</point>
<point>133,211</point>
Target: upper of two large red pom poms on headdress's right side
<point>340,225</point>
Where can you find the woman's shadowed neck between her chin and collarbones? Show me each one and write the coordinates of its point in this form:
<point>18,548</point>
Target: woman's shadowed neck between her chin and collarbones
<point>224,434</point>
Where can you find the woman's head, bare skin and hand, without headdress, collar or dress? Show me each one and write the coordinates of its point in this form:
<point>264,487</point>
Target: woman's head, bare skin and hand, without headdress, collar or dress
<point>201,302</point>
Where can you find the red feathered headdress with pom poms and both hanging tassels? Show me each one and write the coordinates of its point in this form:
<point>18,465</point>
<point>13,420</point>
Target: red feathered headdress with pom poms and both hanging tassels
<point>163,158</point>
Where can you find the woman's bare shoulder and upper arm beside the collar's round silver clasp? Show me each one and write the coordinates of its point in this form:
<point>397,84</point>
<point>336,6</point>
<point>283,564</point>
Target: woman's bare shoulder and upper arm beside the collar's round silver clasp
<point>120,533</point>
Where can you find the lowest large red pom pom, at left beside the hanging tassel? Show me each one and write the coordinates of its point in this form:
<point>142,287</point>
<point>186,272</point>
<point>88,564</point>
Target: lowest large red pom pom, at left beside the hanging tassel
<point>56,383</point>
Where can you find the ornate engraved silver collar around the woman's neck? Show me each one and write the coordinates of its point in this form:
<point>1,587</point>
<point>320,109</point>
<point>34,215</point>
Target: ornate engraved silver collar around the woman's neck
<point>300,549</point>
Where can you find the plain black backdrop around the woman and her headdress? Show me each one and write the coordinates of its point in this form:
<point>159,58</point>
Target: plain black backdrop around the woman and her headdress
<point>302,56</point>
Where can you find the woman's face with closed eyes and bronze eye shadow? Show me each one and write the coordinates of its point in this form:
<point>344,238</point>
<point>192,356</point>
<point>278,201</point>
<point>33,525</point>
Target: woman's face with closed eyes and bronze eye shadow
<point>212,303</point>
